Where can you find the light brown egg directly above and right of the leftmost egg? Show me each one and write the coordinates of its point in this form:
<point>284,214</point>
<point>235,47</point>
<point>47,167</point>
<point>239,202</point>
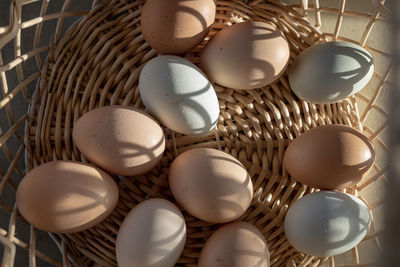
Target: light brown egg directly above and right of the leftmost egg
<point>120,139</point>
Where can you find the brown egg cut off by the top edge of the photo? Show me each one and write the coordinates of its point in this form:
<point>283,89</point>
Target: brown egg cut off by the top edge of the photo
<point>176,26</point>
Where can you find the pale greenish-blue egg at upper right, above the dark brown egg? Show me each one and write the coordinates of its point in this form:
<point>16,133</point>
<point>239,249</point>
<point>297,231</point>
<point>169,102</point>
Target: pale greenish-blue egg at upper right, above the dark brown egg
<point>330,72</point>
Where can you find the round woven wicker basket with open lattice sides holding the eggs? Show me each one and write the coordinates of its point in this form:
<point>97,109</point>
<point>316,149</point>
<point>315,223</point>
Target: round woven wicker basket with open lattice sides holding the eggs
<point>97,61</point>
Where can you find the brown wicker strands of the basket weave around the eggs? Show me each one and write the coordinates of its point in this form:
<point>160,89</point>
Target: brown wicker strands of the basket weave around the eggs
<point>98,62</point>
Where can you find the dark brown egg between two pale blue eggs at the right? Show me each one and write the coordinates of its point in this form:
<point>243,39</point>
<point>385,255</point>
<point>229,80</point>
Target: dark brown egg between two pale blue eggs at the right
<point>329,157</point>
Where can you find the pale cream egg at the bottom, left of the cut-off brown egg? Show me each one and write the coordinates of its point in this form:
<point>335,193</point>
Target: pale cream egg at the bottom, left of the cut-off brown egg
<point>153,234</point>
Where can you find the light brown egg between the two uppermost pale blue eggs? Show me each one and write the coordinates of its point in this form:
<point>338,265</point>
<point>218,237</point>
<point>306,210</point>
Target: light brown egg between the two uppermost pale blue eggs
<point>246,55</point>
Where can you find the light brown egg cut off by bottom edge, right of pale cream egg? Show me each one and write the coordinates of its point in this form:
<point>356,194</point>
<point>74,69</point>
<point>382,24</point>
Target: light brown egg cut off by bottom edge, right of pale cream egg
<point>236,244</point>
